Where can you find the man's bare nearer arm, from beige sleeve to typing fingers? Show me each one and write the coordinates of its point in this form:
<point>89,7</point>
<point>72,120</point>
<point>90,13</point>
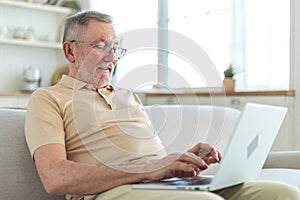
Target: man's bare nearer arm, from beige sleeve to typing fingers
<point>61,176</point>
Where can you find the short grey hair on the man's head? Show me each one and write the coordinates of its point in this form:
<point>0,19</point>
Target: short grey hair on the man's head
<point>75,25</point>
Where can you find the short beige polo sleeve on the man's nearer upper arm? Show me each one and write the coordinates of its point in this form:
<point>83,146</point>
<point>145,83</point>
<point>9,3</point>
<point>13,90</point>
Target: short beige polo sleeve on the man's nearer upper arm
<point>44,122</point>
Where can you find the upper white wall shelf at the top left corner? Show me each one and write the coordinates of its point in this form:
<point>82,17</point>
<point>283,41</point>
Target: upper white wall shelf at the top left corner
<point>37,6</point>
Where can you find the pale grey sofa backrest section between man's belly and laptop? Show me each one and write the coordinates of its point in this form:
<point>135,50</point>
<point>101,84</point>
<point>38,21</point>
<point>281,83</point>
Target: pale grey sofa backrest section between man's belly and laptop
<point>182,126</point>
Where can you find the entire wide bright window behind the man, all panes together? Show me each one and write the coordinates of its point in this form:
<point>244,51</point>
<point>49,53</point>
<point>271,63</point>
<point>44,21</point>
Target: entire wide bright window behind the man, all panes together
<point>251,34</point>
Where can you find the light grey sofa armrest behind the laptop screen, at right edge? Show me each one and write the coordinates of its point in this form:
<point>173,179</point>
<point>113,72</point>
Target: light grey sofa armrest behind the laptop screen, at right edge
<point>283,159</point>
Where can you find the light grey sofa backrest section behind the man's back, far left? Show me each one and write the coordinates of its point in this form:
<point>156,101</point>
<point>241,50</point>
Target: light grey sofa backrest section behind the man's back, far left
<point>19,179</point>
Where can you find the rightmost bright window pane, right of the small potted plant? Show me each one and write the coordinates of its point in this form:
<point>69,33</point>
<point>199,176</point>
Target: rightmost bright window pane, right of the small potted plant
<point>260,44</point>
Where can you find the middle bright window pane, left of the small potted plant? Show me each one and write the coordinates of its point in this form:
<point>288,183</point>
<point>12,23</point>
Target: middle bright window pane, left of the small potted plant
<point>208,24</point>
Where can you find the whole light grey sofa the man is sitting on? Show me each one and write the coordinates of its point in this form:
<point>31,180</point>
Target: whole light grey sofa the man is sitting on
<point>178,126</point>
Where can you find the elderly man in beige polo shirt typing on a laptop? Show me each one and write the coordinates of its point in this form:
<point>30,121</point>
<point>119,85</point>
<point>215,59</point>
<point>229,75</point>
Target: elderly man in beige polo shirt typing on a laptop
<point>91,141</point>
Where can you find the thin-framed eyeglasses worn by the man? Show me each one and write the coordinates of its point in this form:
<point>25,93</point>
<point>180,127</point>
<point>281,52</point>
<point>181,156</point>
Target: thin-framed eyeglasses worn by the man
<point>118,51</point>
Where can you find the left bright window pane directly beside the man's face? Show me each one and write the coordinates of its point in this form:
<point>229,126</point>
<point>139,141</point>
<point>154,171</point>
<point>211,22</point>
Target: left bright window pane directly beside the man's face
<point>132,18</point>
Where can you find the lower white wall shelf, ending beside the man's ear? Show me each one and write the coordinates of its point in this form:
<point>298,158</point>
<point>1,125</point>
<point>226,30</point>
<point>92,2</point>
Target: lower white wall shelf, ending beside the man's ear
<point>30,43</point>
